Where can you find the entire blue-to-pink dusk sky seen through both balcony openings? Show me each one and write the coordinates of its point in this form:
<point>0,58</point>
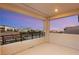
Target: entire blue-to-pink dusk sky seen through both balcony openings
<point>17,20</point>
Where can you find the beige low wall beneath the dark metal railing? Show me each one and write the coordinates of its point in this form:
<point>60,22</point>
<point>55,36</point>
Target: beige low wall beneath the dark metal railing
<point>14,48</point>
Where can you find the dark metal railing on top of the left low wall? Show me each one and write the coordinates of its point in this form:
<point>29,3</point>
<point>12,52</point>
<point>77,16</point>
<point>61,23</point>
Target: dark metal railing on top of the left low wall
<point>7,39</point>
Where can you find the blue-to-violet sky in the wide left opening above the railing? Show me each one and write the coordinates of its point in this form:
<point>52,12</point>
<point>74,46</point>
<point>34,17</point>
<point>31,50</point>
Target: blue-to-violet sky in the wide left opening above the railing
<point>18,20</point>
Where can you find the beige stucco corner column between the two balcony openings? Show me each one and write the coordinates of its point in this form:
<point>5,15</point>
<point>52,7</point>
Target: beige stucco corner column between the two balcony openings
<point>47,28</point>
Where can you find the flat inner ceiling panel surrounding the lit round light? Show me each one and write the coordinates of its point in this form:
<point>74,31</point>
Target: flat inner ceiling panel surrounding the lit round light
<point>48,8</point>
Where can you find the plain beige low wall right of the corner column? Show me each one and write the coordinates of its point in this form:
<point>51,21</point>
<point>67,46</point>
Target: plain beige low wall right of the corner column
<point>69,40</point>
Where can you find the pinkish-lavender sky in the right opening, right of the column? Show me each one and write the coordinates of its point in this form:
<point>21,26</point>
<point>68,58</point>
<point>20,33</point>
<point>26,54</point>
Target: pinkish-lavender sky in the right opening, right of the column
<point>60,24</point>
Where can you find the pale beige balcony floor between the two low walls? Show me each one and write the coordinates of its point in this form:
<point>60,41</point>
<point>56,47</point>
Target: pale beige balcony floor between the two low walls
<point>49,49</point>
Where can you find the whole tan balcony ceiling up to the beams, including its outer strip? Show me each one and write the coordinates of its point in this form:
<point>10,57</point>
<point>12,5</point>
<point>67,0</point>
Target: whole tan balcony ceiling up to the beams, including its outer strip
<point>47,9</point>
